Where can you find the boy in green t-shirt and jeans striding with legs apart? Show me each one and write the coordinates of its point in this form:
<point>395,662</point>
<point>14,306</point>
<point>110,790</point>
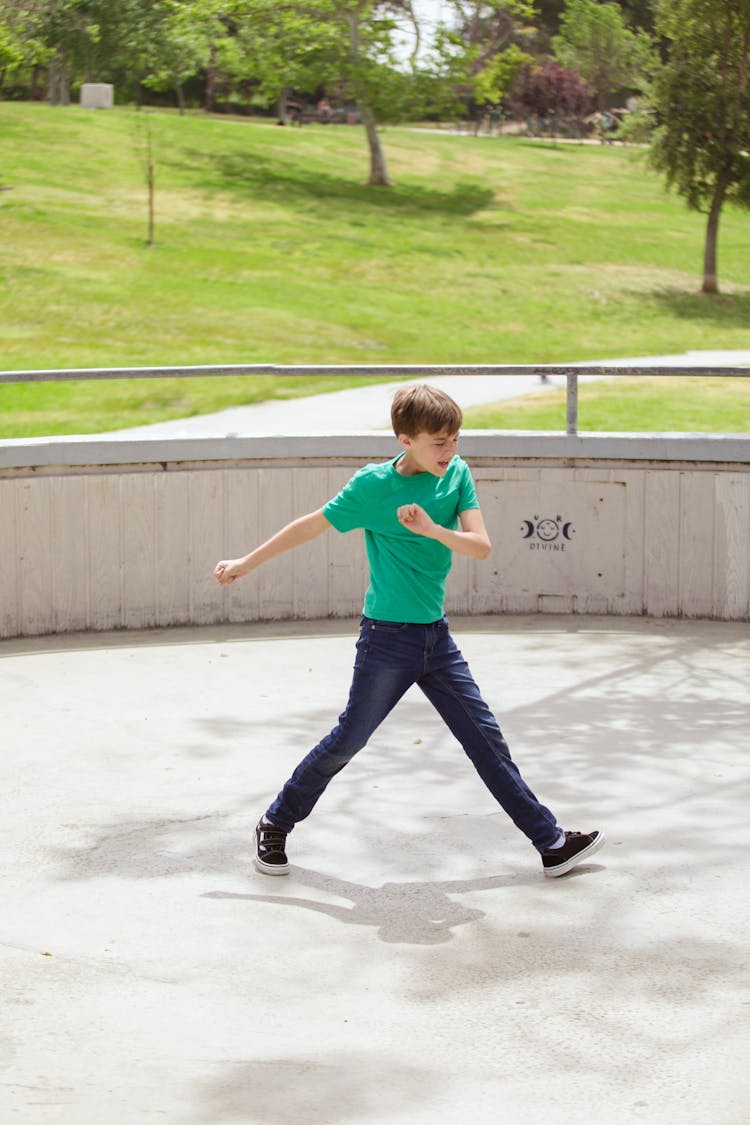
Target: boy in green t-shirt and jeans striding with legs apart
<point>415,510</point>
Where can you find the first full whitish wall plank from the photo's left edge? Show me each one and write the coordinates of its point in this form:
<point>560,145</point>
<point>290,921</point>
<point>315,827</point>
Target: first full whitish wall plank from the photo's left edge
<point>35,557</point>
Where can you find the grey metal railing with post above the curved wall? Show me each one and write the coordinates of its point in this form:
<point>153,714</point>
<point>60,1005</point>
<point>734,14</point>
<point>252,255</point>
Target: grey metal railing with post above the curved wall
<point>418,371</point>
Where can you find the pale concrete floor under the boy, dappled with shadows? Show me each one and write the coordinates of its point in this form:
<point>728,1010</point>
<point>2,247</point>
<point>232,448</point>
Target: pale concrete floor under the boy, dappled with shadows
<point>415,967</point>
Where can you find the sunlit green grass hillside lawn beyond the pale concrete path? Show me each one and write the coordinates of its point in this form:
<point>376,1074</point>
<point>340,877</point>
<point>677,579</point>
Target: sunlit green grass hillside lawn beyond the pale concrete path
<point>270,248</point>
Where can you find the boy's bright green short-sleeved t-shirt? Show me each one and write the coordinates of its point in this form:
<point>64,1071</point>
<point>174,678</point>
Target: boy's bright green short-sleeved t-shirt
<point>408,572</point>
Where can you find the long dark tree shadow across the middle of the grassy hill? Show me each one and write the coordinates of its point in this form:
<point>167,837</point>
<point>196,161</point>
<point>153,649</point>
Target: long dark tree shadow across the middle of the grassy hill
<point>255,176</point>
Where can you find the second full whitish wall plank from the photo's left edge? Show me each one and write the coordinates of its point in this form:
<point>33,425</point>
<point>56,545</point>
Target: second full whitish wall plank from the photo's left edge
<point>70,573</point>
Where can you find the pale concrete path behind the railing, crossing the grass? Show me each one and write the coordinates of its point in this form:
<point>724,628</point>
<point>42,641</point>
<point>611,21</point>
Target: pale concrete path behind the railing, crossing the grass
<point>368,408</point>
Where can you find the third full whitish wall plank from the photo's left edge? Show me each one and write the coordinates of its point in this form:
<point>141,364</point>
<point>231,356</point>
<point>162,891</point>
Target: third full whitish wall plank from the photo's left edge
<point>105,552</point>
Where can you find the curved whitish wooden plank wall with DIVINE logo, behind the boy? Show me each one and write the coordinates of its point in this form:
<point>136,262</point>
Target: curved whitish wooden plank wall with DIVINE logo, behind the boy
<point>134,546</point>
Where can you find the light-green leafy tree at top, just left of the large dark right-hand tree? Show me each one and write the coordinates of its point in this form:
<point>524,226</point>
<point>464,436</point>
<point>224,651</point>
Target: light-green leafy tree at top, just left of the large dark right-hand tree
<point>595,41</point>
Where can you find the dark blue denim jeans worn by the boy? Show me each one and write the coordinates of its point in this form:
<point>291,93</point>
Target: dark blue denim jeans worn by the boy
<point>391,658</point>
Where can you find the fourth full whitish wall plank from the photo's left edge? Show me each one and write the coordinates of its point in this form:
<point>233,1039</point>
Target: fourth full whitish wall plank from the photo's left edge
<point>139,550</point>
